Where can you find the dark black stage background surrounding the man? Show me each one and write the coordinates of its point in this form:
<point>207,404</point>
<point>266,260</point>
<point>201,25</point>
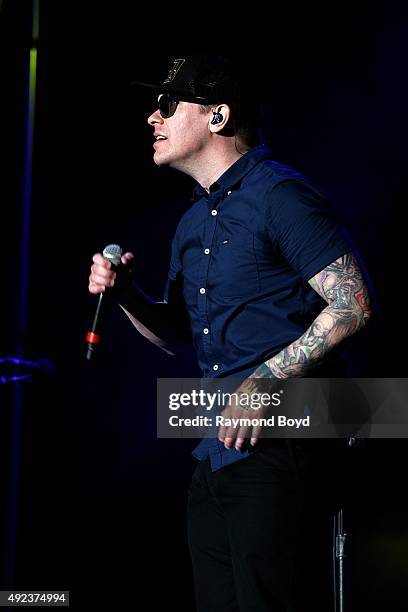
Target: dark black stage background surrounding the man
<point>101,501</point>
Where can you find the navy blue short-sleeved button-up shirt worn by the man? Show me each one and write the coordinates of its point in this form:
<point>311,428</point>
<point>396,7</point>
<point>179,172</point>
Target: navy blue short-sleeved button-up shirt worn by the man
<point>241,256</point>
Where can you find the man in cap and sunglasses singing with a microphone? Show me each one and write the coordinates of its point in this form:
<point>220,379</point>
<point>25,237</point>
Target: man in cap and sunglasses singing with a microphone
<point>264,282</point>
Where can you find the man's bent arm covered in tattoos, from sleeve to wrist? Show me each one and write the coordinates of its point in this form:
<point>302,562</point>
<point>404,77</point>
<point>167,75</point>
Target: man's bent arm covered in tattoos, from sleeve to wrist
<point>342,285</point>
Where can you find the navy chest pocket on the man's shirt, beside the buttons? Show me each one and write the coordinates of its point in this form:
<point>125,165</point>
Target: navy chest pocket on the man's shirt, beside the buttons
<point>233,272</point>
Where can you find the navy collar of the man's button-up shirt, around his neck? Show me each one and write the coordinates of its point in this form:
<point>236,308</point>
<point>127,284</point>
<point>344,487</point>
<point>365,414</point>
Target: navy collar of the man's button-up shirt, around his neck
<point>236,172</point>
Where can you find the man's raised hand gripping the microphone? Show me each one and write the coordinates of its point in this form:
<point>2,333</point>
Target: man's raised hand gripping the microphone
<point>103,275</point>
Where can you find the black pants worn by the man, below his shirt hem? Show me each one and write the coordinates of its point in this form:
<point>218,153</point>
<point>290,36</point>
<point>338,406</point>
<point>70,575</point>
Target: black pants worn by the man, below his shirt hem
<point>243,529</point>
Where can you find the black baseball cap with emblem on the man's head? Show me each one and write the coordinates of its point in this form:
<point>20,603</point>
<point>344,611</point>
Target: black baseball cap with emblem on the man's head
<point>207,78</point>
